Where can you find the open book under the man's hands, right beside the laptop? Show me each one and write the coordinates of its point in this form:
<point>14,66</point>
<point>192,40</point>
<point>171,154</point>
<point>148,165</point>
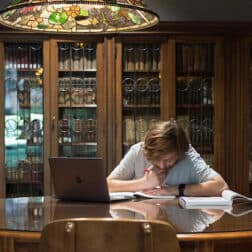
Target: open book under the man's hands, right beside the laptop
<point>133,195</point>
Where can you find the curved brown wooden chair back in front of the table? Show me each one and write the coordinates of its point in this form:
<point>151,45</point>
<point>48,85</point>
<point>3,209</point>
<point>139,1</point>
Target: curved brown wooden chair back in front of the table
<point>108,235</point>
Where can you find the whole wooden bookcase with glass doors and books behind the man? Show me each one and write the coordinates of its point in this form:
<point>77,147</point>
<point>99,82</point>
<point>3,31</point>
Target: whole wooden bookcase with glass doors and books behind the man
<point>115,87</point>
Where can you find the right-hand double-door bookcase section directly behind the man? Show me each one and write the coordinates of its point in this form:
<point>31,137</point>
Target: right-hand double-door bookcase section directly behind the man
<point>191,62</point>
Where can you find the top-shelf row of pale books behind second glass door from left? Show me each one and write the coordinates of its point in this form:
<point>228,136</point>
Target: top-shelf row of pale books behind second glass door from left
<point>77,58</point>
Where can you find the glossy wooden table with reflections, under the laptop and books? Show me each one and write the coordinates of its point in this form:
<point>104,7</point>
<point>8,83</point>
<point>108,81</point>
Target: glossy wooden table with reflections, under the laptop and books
<point>22,219</point>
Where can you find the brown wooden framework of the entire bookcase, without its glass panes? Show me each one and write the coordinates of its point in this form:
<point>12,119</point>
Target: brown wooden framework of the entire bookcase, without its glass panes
<point>231,92</point>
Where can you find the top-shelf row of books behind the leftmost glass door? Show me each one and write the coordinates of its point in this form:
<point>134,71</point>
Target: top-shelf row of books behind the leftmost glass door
<point>18,56</point>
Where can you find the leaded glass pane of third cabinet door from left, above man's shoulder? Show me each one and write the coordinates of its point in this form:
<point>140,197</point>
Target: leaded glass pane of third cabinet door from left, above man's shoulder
<point>140,91</point>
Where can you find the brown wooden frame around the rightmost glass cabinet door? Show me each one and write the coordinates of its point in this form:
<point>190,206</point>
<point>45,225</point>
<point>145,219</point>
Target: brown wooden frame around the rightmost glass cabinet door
<point>219,90</point>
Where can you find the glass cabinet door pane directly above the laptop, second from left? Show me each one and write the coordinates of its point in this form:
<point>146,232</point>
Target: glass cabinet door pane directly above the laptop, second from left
<point>77,120</point>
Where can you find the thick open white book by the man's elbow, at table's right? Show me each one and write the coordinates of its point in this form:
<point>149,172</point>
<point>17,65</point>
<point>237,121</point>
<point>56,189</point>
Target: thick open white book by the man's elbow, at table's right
<point>223,202</point>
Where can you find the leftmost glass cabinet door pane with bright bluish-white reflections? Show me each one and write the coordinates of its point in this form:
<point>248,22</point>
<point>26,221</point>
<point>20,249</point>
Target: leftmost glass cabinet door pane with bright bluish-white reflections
<point>23,119</point>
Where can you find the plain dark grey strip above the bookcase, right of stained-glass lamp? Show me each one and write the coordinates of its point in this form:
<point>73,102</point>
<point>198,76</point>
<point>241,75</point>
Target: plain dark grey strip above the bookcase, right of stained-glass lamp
<point>202,10</point>
